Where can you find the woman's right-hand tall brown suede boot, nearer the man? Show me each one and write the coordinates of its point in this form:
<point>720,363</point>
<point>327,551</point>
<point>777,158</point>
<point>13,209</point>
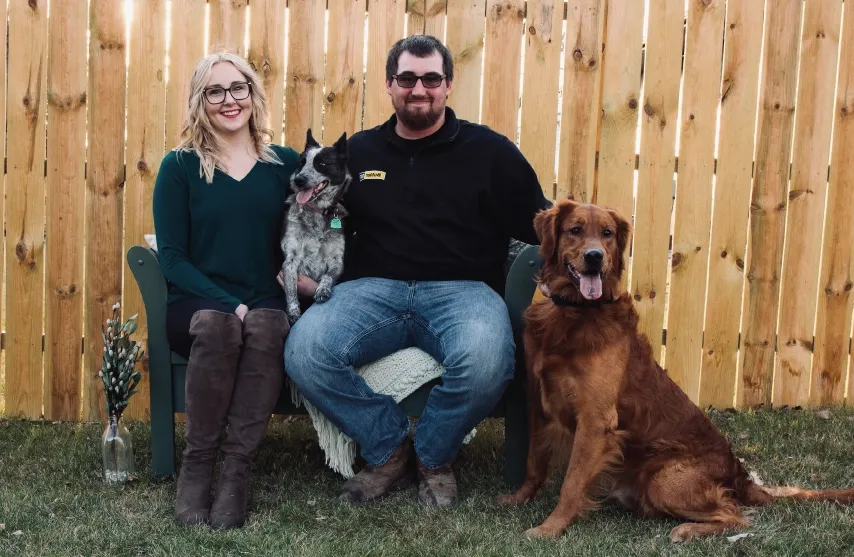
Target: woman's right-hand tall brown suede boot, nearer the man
<point>259,383</point>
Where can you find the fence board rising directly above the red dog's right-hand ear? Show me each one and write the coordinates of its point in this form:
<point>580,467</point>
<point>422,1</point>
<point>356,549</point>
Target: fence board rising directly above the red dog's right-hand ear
<point>621,79</point>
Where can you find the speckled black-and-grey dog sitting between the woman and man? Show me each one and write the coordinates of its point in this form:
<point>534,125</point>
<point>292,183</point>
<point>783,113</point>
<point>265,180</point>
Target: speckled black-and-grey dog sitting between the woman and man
<point>313,243</point>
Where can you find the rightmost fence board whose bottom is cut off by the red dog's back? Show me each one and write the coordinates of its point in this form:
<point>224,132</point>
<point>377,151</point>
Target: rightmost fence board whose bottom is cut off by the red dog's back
<point>693,208</point>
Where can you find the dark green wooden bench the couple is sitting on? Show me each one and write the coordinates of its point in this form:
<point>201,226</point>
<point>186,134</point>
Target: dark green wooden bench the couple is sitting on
<point>167,370</point>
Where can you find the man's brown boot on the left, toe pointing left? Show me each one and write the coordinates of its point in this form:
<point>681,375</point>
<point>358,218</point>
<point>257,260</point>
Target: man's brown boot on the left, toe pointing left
<point>375,481</point>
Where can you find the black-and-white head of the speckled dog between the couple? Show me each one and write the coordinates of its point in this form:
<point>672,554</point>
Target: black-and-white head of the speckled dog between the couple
<point>321,172</point>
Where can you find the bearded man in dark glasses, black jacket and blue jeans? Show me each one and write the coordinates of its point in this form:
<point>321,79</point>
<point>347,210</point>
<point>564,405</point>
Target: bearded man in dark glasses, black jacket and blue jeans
<point>432,207</point>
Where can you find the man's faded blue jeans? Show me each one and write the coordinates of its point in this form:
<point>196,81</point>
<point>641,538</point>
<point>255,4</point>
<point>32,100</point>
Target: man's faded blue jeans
<point>462,324</point>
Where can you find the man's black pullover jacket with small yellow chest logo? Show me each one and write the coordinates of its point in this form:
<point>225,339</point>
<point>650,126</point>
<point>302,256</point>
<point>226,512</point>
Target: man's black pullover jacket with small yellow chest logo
<point>439,208</point>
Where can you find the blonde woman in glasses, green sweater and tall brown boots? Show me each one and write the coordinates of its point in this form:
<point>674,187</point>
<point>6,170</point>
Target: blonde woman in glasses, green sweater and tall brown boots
<point>219,204</point>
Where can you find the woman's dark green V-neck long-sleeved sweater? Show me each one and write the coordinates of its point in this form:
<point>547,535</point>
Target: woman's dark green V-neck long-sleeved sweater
<point>220,241</point>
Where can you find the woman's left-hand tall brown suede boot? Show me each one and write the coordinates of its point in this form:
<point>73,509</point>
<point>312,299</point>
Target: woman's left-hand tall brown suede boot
<point>210,380</point>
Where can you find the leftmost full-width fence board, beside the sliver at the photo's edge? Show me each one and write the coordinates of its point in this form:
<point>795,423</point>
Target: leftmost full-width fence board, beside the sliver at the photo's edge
<point>25,189</point>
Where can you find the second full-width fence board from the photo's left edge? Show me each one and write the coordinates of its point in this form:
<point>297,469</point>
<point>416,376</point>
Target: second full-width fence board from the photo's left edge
<point>66,156</point>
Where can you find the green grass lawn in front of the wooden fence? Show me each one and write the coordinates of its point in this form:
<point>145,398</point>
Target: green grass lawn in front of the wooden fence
<point>52,493</point>
